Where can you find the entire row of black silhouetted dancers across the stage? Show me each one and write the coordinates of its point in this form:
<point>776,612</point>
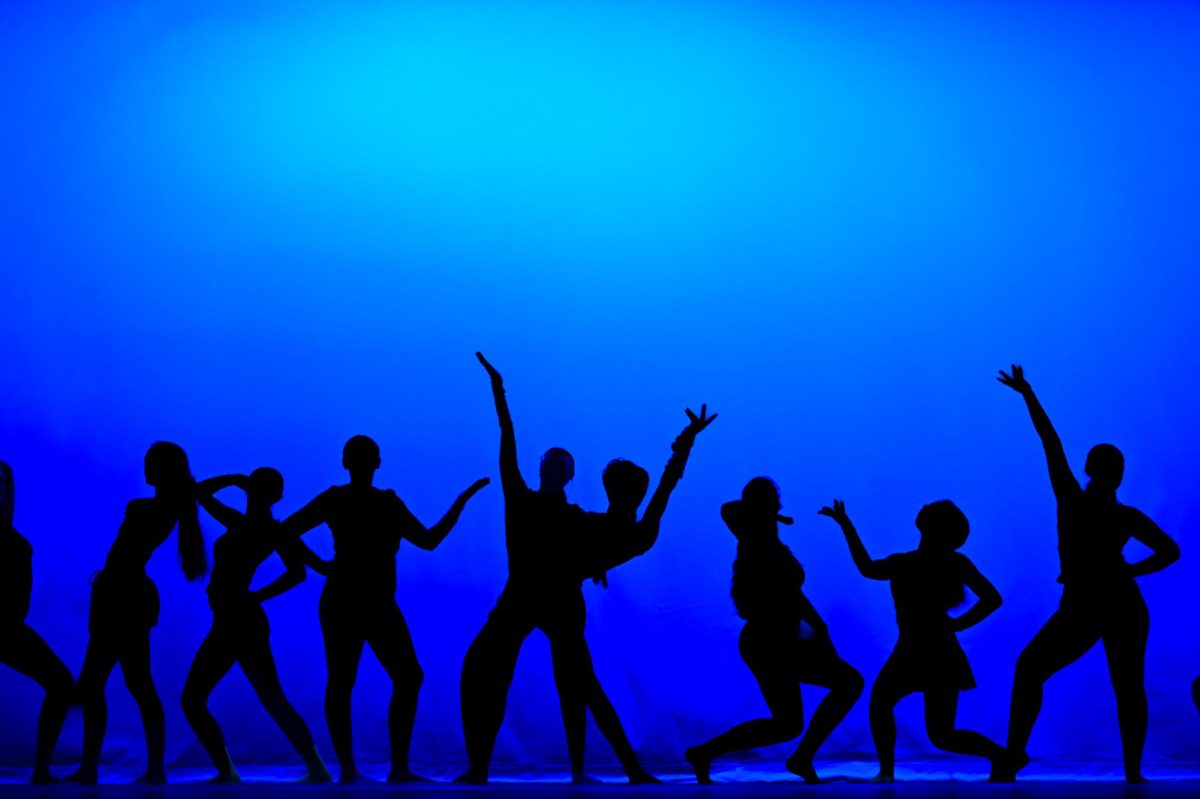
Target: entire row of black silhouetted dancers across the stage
<point>553,549</point>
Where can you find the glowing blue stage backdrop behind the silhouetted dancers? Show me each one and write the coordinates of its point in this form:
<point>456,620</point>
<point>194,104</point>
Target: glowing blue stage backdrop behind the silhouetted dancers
<point>256,229</point>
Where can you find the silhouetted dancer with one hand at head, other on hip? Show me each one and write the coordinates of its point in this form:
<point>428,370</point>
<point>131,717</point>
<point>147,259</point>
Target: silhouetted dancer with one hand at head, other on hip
<point>241,633</point>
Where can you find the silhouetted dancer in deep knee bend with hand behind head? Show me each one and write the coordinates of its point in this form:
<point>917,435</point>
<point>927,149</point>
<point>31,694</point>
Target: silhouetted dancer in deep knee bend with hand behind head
<point>785,642</point>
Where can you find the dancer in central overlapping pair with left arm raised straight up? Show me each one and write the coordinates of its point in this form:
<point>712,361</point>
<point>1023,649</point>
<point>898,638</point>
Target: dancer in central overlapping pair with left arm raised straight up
<point>543,593</point>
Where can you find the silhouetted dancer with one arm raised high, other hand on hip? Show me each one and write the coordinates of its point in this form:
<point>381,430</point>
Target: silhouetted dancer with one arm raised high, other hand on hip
<point>1101,600</point>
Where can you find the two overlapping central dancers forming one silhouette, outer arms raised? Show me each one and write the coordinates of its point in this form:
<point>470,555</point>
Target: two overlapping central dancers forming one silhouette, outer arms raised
<point>553,549</point>
